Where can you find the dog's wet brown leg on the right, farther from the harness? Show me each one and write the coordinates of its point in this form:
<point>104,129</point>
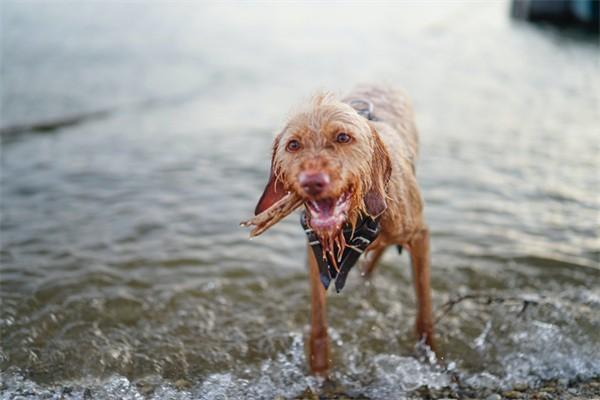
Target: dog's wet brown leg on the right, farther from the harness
<point>419,252</point>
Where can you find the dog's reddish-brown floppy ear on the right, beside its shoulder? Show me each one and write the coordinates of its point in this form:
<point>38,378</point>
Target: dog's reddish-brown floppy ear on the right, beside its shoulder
<point>381,167</point>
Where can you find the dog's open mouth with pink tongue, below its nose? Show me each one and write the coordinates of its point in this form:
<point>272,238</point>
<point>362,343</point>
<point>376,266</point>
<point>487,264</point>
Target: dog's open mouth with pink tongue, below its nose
<point>327,216</point>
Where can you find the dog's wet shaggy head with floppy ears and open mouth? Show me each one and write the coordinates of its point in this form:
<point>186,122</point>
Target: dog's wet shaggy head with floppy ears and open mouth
<point>331,157</point>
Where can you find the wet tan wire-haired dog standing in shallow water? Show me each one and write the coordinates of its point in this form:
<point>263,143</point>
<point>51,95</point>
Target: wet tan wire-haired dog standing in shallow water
<point>343,160</point>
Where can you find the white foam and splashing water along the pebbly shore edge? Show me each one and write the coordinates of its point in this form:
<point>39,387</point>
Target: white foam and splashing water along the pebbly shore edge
<point>516,352</point>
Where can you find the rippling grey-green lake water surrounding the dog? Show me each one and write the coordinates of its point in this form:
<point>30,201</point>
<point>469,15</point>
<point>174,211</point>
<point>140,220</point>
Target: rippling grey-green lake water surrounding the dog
<point>125,274</point>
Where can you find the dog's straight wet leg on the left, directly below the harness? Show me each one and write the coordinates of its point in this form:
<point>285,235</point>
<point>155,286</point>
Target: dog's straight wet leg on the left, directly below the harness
<point>318,350</point>
